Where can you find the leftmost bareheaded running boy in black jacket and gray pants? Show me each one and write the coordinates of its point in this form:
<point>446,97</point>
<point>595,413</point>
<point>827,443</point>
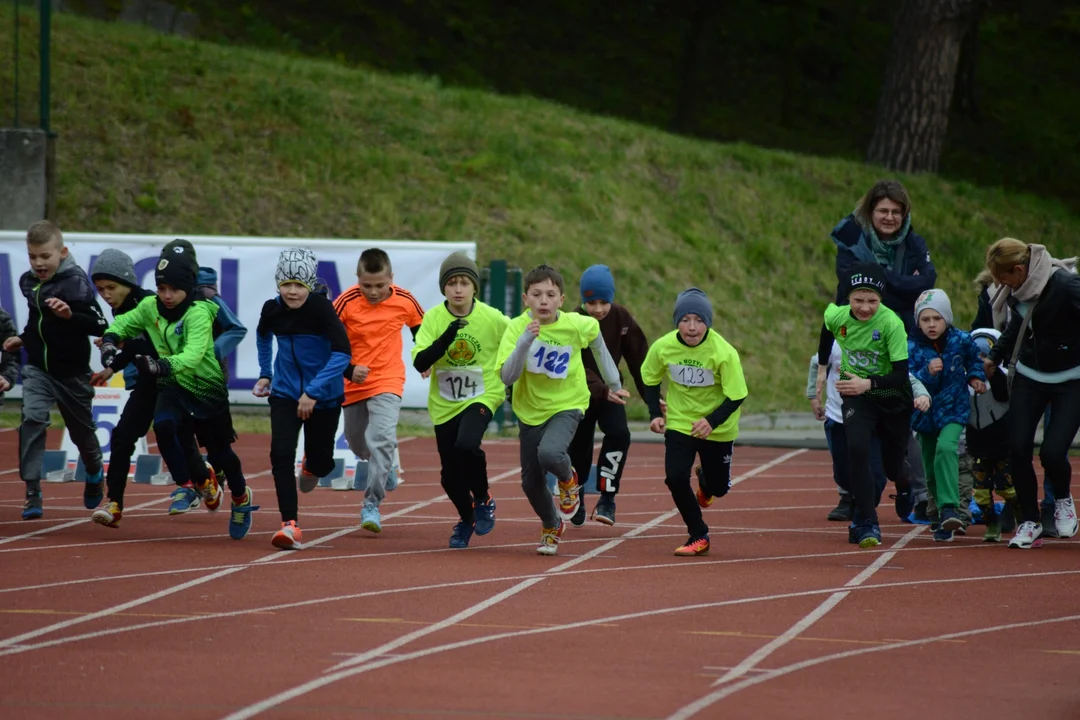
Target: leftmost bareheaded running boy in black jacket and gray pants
<point>63,314</point>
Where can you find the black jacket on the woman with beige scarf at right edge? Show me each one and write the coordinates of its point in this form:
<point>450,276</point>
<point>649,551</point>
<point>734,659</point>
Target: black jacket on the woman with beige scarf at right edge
<point>1052,341</point>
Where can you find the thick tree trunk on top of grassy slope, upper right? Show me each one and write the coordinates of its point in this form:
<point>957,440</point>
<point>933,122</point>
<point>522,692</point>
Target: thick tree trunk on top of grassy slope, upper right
<point>920,79</point>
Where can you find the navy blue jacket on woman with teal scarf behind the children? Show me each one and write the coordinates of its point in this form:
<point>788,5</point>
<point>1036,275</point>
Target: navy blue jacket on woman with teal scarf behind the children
<point>903,288</point>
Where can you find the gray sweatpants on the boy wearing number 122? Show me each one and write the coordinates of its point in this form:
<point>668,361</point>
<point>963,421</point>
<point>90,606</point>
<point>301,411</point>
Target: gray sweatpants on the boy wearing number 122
<point>545,451</point>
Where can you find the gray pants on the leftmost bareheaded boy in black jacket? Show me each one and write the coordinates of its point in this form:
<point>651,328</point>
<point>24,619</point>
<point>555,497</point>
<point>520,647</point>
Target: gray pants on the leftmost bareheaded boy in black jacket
<point>75,398</point>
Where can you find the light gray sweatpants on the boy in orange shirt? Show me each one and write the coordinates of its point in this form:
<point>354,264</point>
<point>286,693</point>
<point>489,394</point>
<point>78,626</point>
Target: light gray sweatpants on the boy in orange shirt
<point>371,429</point>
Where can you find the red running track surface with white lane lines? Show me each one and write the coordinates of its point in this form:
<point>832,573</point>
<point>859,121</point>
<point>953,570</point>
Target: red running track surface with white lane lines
<point>168,618</point>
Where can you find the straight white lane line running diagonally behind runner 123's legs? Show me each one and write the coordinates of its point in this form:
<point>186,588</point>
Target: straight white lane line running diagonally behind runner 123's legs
<point>337,671</point>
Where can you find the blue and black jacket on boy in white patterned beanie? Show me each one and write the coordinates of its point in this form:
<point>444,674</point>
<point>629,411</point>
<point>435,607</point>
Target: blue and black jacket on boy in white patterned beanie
<point>313,350</point>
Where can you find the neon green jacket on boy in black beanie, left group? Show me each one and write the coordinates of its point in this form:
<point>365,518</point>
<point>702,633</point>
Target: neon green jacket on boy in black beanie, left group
<point>187,346</point>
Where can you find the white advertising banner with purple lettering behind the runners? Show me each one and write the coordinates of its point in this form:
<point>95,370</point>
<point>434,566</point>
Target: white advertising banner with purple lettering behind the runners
<point>246,271</point>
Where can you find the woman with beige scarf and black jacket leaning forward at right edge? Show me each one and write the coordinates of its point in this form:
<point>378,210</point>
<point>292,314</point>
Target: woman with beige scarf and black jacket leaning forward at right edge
<point>1042,347</point>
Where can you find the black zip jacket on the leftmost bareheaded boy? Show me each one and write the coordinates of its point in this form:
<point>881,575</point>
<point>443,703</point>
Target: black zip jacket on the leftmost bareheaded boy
<point>61,347</point>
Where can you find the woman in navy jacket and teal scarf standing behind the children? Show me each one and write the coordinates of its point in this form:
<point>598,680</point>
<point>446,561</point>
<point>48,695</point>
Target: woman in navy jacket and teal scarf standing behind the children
<point>880,230</point>
